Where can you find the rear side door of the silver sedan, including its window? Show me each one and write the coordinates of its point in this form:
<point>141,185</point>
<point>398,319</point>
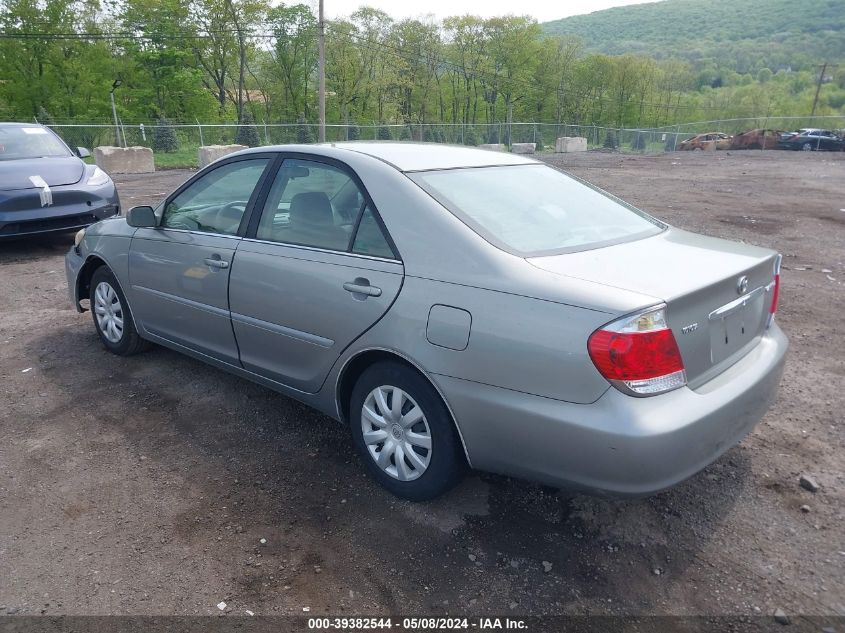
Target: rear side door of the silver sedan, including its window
<point>314,272</point>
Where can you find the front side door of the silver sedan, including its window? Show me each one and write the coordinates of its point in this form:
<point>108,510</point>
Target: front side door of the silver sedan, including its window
<point>179,271</point>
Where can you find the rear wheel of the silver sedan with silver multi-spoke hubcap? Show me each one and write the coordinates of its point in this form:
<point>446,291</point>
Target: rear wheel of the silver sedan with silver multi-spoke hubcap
<point>404,432</point>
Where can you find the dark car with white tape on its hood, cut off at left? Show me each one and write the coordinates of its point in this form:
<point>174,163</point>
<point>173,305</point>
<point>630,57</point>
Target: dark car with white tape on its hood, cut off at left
<point>46,187</point>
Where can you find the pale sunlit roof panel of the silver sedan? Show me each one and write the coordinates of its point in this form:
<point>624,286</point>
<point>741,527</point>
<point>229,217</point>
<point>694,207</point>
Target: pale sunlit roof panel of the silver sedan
<point>424,156</point>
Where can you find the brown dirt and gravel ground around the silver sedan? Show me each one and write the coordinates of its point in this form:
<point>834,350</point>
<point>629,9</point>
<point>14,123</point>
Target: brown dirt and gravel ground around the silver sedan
<point>145,485</point>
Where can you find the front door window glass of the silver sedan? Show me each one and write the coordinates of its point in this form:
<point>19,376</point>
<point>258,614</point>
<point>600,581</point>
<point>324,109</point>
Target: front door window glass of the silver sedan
<point>216,202</point>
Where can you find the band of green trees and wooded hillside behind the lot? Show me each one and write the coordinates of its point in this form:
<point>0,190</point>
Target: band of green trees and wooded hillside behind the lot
<point>256,60</point>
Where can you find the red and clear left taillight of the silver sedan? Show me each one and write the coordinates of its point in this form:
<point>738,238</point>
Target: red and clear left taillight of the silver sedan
<point>638,354</point>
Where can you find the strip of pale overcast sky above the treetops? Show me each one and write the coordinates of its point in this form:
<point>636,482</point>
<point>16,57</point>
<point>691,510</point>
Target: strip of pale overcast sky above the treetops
<point>543,10</point>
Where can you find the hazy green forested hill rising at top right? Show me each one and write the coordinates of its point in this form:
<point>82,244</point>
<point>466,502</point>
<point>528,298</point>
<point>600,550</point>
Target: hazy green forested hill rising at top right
<point>740,35</point>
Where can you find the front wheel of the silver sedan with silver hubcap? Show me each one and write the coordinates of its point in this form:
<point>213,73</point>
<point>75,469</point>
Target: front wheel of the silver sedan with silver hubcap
<point>112,316</point>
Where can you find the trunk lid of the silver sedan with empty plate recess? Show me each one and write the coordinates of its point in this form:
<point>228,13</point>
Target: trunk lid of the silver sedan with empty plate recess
<point>715,317</point>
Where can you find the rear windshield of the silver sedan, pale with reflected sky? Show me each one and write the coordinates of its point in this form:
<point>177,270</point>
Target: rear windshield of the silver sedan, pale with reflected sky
<point>532,210</point>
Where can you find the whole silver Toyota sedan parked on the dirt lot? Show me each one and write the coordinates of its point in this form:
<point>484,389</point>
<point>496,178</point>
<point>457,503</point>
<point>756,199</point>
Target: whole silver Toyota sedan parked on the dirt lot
<point>454,307</point>
